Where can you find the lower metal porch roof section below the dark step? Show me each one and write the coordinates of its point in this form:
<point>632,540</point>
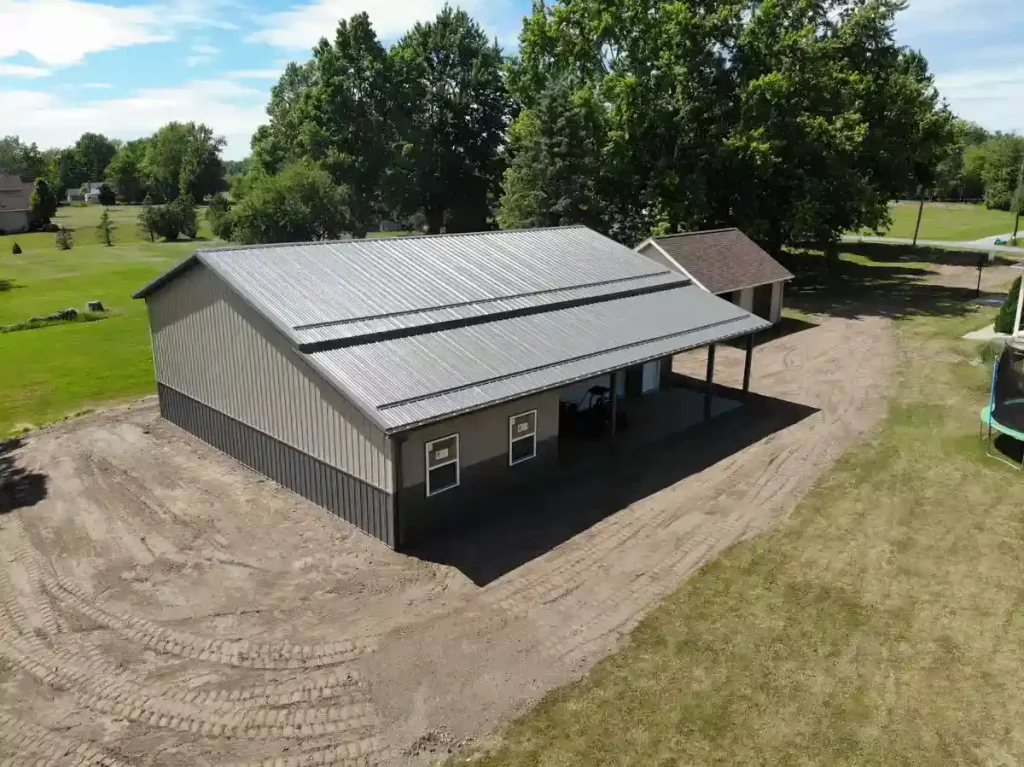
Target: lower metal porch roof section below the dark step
<point>417,379</point>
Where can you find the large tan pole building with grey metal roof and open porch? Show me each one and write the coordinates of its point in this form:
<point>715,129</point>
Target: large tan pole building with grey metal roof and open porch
<point>406,383</point>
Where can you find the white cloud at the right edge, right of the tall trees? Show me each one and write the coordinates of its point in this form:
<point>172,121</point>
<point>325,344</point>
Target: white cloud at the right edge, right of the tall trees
<point>993,98</point>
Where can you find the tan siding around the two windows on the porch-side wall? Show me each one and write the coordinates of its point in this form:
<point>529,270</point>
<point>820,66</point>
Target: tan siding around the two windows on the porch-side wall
<point>483,436</point>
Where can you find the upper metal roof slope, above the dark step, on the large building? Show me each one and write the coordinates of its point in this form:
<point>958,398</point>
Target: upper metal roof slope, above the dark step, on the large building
<point>400,281</point>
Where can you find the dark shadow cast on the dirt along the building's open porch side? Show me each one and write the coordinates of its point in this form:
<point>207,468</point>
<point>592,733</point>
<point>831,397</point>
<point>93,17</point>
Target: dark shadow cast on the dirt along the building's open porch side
<point>582,495</point>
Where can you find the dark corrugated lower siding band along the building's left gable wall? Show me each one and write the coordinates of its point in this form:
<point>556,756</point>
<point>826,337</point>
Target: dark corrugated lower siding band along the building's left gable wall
<point>369,508</point>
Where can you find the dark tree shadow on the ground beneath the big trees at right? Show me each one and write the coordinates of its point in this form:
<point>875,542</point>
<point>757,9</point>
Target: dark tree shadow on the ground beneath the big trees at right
<point>854,290</point>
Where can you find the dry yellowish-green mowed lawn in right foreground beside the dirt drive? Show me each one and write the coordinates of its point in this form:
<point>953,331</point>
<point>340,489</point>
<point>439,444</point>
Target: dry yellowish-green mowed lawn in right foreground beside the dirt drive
<point>881,623</point>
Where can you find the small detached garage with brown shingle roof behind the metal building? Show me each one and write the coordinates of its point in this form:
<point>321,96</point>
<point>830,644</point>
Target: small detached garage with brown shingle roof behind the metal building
<point>728,264</point>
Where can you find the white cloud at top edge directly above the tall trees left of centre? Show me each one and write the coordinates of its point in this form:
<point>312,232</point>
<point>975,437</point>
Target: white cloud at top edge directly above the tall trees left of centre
<point>303,26</point>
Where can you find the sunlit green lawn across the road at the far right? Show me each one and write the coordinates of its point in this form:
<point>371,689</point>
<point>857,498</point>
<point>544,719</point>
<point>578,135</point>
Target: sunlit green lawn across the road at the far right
<point>949,222</point>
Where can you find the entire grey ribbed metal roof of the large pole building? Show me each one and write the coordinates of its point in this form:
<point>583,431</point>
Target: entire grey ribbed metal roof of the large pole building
<point>417,329</point>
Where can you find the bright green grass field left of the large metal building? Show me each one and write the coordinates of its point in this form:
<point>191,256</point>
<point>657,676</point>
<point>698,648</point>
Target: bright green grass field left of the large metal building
<point>50,373</point>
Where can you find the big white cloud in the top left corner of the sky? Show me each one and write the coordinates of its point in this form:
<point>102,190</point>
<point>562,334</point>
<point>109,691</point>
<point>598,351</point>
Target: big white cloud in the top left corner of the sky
<point>64,32</point>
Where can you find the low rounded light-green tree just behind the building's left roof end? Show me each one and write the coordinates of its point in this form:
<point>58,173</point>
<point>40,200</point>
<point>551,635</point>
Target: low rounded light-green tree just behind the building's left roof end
<point>302,203</point>
